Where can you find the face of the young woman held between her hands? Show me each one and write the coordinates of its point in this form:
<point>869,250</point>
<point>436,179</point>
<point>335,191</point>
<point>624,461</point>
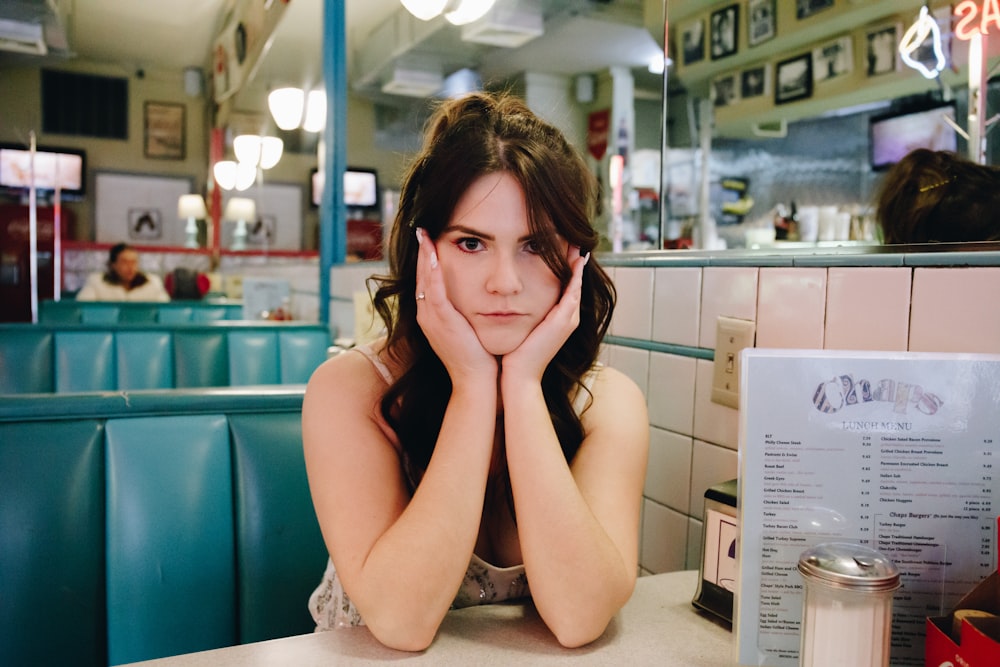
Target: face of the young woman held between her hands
<point>492,271</point>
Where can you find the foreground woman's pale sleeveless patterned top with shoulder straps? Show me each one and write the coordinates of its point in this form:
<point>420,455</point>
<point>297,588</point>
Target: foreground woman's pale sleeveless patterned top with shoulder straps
<point>484,583</point>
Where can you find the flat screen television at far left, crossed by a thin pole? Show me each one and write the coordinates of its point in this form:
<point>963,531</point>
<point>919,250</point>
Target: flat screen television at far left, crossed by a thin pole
<point>65,167</point>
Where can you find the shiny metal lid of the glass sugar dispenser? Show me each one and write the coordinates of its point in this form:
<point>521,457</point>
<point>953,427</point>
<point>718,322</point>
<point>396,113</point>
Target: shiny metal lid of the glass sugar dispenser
<point>849,566</point>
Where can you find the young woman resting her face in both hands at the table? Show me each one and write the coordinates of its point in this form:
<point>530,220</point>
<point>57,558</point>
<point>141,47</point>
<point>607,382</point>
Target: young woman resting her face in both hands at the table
<point>479,452</point>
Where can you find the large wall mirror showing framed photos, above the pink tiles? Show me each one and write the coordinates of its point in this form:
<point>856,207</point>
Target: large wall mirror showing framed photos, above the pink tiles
<point>782,118</point>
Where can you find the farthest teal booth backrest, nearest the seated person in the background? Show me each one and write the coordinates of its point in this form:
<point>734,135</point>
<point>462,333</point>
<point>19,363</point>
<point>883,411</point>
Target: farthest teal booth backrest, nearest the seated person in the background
<point>68,311</point>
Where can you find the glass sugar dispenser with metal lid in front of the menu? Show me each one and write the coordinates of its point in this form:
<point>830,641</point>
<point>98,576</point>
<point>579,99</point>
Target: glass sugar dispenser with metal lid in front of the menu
<point>847,606</point>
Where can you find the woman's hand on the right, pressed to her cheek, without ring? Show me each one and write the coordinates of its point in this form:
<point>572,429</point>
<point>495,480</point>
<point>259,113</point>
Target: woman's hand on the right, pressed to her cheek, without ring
<point>532,356</point>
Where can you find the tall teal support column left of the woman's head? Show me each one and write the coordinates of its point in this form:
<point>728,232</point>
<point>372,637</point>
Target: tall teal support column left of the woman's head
<point>332,212</point>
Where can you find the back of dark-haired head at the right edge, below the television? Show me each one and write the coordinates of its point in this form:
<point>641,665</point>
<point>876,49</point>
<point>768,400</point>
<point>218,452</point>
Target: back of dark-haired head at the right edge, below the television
<point>938,196</point>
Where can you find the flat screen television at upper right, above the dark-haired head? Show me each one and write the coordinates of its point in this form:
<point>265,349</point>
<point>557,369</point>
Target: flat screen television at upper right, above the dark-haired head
<point>891,136</point>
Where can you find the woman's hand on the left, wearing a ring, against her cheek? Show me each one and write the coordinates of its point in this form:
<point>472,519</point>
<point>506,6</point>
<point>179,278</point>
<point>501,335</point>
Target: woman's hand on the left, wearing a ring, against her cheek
<point>449,333</point>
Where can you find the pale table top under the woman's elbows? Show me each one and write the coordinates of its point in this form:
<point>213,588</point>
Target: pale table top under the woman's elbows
<point>658,626</point>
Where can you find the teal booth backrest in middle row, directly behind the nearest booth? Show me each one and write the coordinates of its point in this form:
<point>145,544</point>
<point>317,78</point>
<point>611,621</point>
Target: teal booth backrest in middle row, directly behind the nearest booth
<point>78,358</point>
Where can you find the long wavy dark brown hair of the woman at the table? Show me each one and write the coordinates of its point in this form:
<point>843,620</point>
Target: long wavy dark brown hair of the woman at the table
<point>465,139</point>
